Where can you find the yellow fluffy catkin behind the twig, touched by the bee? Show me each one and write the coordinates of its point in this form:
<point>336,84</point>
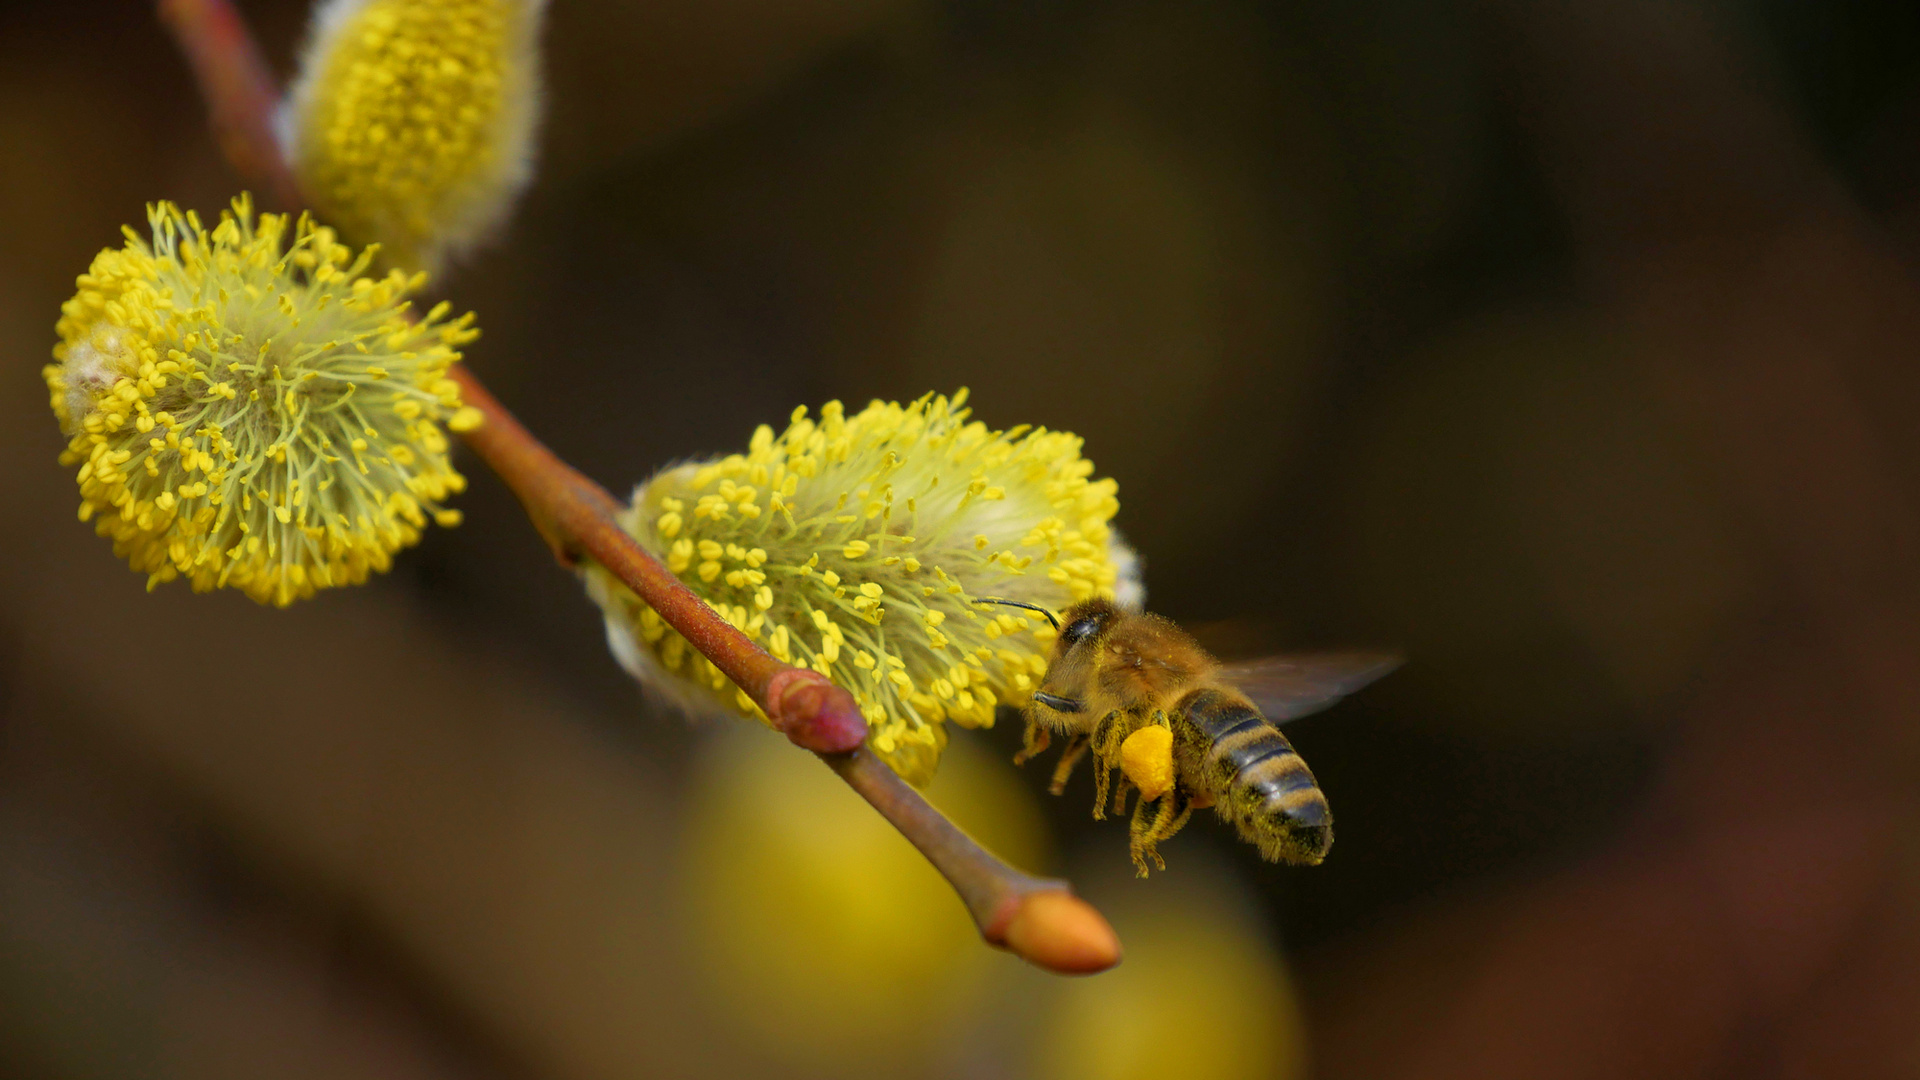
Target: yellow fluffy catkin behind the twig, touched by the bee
<point>853,545</point>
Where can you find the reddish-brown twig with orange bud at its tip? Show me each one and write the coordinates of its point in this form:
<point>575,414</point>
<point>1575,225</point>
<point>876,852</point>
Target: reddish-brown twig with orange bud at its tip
<point>1038,920</point>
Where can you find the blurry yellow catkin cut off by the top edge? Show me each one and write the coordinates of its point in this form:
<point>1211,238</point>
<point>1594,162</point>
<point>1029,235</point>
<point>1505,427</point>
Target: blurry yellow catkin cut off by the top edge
<point>412,122</point>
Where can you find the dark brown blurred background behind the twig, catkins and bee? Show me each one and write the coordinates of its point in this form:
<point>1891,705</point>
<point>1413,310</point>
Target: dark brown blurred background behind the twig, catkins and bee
<point>1570,347</point>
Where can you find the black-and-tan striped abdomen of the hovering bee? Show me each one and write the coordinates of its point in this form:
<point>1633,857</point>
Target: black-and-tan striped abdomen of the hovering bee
<point>1259,781</point>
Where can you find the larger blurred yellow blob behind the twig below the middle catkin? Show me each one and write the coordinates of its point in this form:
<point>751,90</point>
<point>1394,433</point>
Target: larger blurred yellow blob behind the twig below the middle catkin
<point>813,918</point>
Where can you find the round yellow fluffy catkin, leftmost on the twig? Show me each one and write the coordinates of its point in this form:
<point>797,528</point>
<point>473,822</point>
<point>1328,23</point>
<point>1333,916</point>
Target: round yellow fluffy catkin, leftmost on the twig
<point>251,410</point>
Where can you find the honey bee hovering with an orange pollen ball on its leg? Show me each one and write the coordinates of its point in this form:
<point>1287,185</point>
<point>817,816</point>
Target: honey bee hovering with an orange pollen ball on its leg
<point>1186,731</point>
